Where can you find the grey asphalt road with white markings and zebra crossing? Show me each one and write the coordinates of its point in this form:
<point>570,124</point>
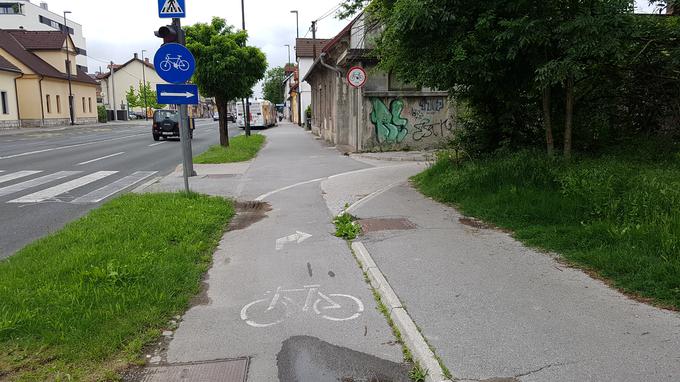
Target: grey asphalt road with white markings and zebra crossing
<point>50,178</point>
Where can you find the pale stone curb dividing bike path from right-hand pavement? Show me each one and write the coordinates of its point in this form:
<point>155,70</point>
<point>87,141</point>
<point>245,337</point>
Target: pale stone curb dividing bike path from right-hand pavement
<point>413,339</point>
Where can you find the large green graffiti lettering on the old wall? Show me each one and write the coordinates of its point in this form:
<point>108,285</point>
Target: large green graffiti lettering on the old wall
<point>390,126</point>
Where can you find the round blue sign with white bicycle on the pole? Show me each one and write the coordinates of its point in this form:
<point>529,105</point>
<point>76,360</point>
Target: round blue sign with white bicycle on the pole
<point>174,63</point>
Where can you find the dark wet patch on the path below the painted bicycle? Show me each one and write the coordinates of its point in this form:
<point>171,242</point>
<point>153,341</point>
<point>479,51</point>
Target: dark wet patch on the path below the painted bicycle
<point>309,359</point>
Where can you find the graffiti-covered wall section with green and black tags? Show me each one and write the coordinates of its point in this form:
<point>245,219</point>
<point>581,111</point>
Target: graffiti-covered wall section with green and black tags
<point>426,118</point>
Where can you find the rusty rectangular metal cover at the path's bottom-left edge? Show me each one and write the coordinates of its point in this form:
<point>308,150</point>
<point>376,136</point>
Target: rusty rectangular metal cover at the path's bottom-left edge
<point>232,370</point>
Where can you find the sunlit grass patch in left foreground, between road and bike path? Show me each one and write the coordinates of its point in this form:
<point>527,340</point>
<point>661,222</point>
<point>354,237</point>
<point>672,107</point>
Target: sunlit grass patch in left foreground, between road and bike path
<point>81,303</point>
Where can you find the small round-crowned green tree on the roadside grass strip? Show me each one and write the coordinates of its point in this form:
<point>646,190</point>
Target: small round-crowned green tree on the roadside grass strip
<point>226,68</point>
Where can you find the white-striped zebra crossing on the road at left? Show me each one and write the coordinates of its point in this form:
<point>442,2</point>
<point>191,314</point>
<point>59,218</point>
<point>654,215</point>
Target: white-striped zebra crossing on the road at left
<point>37,186</point>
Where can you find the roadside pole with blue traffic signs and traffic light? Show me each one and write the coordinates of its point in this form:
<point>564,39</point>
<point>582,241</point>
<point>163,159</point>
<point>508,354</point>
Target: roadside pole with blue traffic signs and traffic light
<point>175,64</point>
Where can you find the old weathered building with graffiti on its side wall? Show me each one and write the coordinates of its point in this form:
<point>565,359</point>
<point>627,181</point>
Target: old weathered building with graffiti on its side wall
<point>385,113</point>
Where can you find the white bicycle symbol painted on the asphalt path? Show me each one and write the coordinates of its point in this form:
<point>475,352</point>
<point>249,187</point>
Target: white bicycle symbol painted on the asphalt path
<point>274,310</point>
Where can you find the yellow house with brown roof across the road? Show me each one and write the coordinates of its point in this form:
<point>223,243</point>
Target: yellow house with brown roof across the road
<point>44,82</point>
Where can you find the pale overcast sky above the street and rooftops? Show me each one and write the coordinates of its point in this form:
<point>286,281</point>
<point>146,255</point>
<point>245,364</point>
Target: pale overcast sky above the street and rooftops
<point>115,29</point>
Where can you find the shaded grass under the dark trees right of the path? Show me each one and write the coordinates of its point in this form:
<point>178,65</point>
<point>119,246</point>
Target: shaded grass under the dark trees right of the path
<point>617,215</point>
